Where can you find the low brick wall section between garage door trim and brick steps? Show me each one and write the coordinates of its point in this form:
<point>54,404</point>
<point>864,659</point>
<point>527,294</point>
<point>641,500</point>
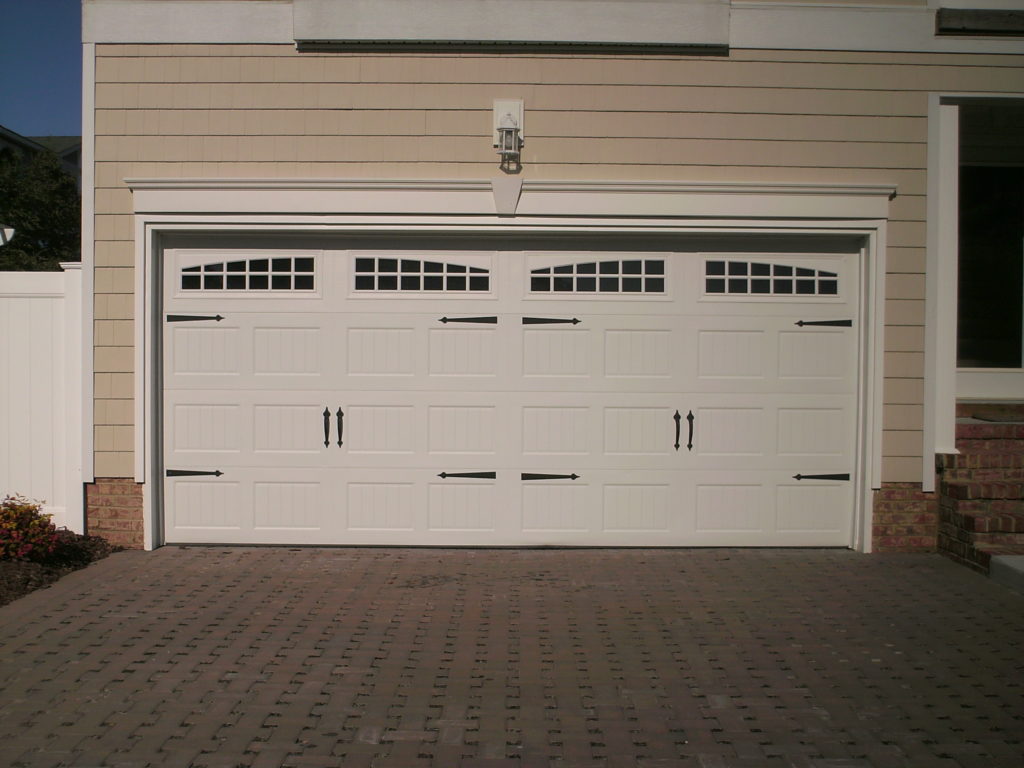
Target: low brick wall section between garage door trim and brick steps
<point>907,520</point>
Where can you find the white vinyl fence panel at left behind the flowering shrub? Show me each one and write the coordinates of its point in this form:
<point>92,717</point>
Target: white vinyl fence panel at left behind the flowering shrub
<point>41,391</point>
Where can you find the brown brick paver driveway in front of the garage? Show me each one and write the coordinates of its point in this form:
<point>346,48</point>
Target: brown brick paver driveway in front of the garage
<point>221,657</point>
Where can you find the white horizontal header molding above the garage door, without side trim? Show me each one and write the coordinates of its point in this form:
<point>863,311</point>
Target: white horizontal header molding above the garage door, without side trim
<point>538,199</point>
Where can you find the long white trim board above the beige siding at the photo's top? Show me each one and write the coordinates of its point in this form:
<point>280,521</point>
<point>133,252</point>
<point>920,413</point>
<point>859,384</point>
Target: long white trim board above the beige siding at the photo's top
<point>737,25</point>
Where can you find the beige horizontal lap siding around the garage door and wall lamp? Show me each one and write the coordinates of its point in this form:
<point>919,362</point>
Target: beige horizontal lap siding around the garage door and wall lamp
<point>265,111</point>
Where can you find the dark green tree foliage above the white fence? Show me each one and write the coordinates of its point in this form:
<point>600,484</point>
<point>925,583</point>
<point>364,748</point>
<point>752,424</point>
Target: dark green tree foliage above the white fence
<point>41,202</point>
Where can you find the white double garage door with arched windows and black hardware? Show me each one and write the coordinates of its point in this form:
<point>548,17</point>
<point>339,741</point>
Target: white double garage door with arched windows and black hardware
<point>458,398</point>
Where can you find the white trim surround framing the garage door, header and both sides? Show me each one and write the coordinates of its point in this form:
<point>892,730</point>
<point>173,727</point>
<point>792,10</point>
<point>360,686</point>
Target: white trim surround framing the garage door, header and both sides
<point>246,207</point>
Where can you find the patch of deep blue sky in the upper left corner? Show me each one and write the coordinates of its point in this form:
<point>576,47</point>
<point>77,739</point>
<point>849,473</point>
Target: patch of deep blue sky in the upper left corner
<point>41,67</point>
